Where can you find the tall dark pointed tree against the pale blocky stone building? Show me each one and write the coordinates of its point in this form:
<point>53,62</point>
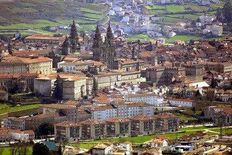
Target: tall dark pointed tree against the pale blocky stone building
<point>58,88</point>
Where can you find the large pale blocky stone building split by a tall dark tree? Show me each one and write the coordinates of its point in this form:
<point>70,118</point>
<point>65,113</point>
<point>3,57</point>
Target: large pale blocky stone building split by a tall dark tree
<point>74,86</point>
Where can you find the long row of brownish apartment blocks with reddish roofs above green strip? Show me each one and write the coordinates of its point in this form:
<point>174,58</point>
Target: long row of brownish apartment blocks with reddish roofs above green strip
<point>131,126</point>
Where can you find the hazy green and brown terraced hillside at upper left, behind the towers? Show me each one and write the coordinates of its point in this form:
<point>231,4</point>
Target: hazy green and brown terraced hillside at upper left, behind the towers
<point>36,14</point>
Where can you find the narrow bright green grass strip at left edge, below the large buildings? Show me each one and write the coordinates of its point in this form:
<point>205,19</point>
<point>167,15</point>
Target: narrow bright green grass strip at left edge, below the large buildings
<point>6,108</point>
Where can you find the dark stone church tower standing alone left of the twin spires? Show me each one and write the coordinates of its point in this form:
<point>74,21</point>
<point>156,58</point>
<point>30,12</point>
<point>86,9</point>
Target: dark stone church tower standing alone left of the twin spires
<point>73,37</point>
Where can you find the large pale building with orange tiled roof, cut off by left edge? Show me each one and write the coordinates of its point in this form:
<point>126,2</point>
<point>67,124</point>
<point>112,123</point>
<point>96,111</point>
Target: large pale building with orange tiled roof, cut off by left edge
<point>18,65</point>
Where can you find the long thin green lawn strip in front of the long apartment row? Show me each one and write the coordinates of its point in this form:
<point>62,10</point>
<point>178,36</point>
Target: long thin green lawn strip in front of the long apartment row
<point>142,139</point>
